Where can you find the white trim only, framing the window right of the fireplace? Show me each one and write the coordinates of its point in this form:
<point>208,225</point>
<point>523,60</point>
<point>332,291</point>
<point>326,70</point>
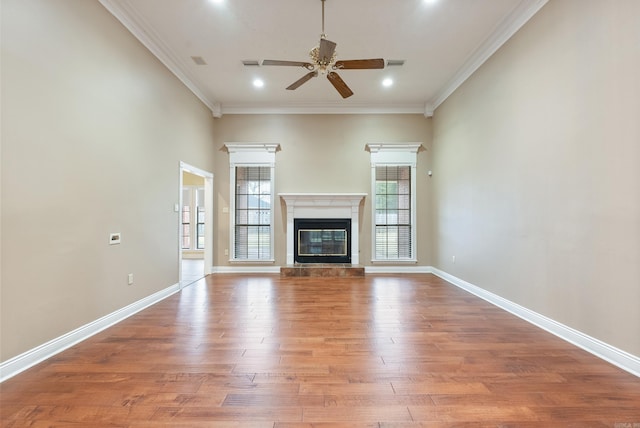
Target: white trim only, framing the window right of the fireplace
<point>394,154</point>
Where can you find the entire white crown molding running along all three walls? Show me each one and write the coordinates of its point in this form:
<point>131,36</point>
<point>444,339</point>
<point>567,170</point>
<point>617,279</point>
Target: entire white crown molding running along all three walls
<point>136,24</point>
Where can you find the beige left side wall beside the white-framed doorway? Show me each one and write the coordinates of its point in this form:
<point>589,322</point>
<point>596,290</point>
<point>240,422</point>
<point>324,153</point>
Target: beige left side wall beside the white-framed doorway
<point>82,98</point>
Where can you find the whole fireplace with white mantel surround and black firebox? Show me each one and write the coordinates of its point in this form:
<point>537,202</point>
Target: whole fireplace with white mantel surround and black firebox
<point>326,209</point>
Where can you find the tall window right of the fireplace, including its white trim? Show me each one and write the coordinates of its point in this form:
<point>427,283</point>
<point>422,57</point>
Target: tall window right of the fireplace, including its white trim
<point>393,178</point>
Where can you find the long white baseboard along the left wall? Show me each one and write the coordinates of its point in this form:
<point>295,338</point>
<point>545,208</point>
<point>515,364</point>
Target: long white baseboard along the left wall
<point>40,353</point>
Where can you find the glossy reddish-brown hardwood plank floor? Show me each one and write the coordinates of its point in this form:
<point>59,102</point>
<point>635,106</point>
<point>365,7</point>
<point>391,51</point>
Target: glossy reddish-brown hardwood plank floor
<point>267,351</point>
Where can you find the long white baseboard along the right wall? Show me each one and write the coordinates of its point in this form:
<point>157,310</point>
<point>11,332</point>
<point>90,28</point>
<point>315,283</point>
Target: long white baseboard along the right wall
<point>613,355</point>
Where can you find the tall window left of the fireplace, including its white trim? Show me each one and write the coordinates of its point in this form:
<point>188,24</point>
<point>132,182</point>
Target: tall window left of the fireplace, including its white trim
<point>252,169</point>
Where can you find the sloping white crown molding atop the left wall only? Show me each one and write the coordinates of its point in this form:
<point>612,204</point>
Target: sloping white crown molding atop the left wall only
<point>133,21</point>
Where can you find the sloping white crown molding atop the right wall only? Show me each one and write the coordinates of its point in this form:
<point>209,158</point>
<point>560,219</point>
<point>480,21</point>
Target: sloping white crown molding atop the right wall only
<point>520,15</point>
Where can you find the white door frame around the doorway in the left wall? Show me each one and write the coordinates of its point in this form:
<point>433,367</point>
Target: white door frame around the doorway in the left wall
<point>208,217</point>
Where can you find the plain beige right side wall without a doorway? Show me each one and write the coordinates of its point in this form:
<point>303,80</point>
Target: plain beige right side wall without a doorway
<point>536,170</point>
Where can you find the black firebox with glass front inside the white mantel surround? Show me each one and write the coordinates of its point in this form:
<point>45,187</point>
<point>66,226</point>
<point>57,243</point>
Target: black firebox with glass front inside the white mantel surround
<point>322,240</point>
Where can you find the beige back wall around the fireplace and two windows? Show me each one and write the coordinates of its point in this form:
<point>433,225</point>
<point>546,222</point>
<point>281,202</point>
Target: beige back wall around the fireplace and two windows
<point>323,154</point>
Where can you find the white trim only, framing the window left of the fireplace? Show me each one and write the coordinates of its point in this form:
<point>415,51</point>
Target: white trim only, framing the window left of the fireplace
<point>250,154</point>
